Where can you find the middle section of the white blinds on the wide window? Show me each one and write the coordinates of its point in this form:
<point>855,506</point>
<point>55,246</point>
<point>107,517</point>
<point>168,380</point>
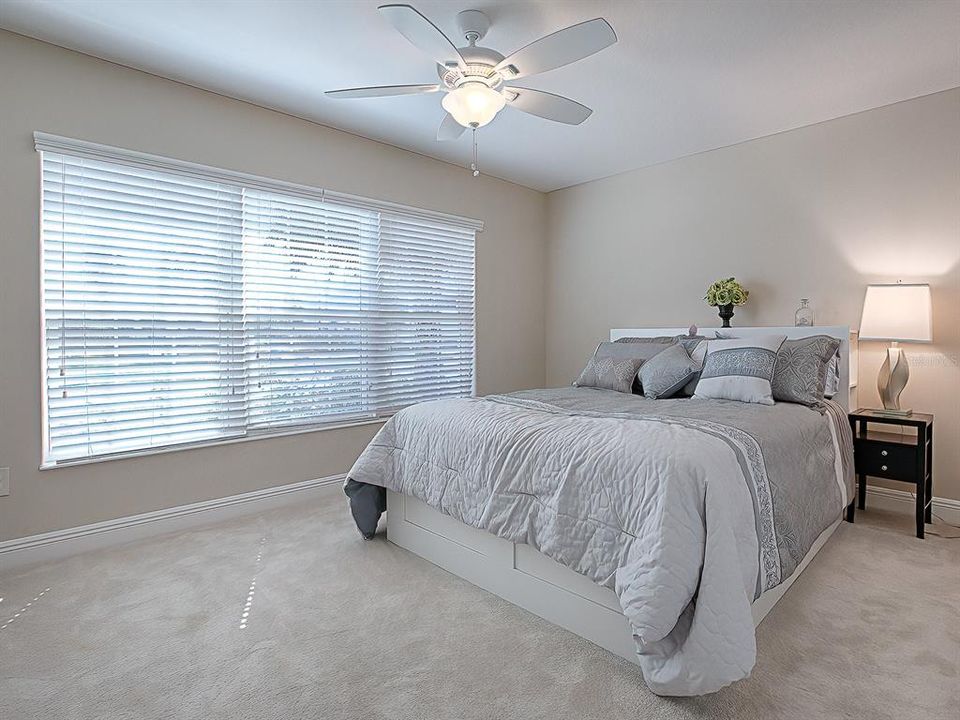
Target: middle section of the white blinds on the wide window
<point>307,267</point>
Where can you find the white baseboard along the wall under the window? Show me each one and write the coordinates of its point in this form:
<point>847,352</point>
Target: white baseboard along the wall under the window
<point>58,544</point>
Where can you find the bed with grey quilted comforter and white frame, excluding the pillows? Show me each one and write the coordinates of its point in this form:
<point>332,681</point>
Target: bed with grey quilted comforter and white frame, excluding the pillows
<point>662,530</point>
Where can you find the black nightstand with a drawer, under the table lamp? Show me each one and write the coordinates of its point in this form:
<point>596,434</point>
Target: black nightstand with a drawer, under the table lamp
<point>894,456</point>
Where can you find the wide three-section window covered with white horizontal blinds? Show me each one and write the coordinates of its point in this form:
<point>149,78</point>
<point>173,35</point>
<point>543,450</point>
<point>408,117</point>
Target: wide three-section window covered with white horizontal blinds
<point>184,305</point>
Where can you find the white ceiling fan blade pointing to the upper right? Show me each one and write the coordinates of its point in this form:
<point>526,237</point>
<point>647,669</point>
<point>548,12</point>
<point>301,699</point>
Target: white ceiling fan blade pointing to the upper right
<point>560,48</point>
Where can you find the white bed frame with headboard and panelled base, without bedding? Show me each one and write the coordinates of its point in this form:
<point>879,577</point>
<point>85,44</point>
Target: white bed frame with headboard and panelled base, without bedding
<point>531,580</point>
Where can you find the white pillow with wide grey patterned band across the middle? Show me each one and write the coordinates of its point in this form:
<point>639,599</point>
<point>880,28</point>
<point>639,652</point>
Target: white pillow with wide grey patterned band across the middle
<point>740,369</point>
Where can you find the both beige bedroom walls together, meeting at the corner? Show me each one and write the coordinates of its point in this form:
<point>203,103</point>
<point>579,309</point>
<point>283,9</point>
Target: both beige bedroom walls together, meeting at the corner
<point>816,212</point>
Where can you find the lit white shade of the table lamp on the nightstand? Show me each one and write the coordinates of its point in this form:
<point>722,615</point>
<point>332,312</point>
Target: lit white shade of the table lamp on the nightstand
<point>900,313</point>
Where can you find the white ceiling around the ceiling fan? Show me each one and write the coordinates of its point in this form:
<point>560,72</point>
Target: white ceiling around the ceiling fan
<point>685,76</point>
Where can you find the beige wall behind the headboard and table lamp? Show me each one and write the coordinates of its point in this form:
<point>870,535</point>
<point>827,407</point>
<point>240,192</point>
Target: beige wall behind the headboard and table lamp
<point>817,212</point>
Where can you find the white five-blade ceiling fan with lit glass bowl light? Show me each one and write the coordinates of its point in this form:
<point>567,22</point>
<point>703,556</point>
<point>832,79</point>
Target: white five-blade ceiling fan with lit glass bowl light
<point>478,80</point>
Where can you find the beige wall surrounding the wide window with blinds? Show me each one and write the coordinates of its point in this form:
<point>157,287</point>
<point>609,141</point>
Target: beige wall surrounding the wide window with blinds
<point>46,88</point>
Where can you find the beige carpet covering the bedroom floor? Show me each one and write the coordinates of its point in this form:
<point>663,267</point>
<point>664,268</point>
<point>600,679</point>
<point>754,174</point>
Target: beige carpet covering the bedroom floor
<point>341,628</point>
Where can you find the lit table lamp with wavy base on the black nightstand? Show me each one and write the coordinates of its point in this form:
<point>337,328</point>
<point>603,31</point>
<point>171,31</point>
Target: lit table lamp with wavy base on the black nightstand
<point>896,313</point>
